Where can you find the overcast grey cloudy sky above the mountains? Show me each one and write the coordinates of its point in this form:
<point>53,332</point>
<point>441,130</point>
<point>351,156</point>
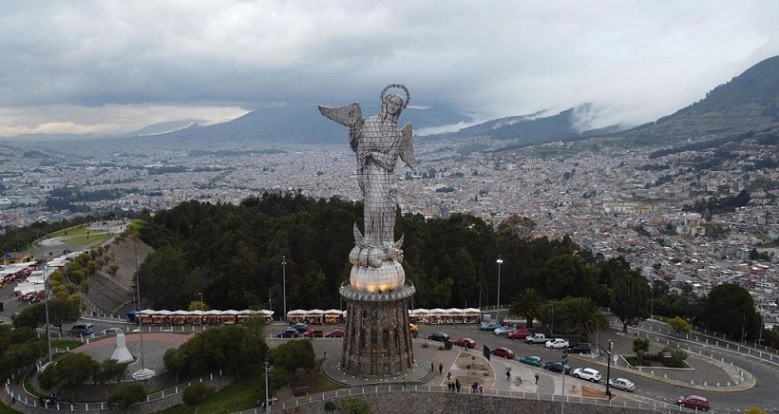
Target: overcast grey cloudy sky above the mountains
<point>108,66</point>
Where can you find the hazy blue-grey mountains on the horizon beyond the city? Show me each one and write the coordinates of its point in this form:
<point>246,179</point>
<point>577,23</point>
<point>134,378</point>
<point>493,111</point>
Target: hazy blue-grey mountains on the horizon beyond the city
<point>748,102</point>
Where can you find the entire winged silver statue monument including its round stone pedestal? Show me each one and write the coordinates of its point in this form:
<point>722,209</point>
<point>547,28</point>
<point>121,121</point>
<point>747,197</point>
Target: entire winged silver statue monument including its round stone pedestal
<point>377,340</point>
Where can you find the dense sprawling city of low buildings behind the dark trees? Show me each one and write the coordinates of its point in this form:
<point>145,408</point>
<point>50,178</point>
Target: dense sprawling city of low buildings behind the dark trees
<point>615,201</point>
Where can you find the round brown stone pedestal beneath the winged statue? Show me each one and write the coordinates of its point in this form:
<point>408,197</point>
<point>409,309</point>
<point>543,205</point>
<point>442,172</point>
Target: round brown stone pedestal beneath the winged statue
<point>377,340</point>
